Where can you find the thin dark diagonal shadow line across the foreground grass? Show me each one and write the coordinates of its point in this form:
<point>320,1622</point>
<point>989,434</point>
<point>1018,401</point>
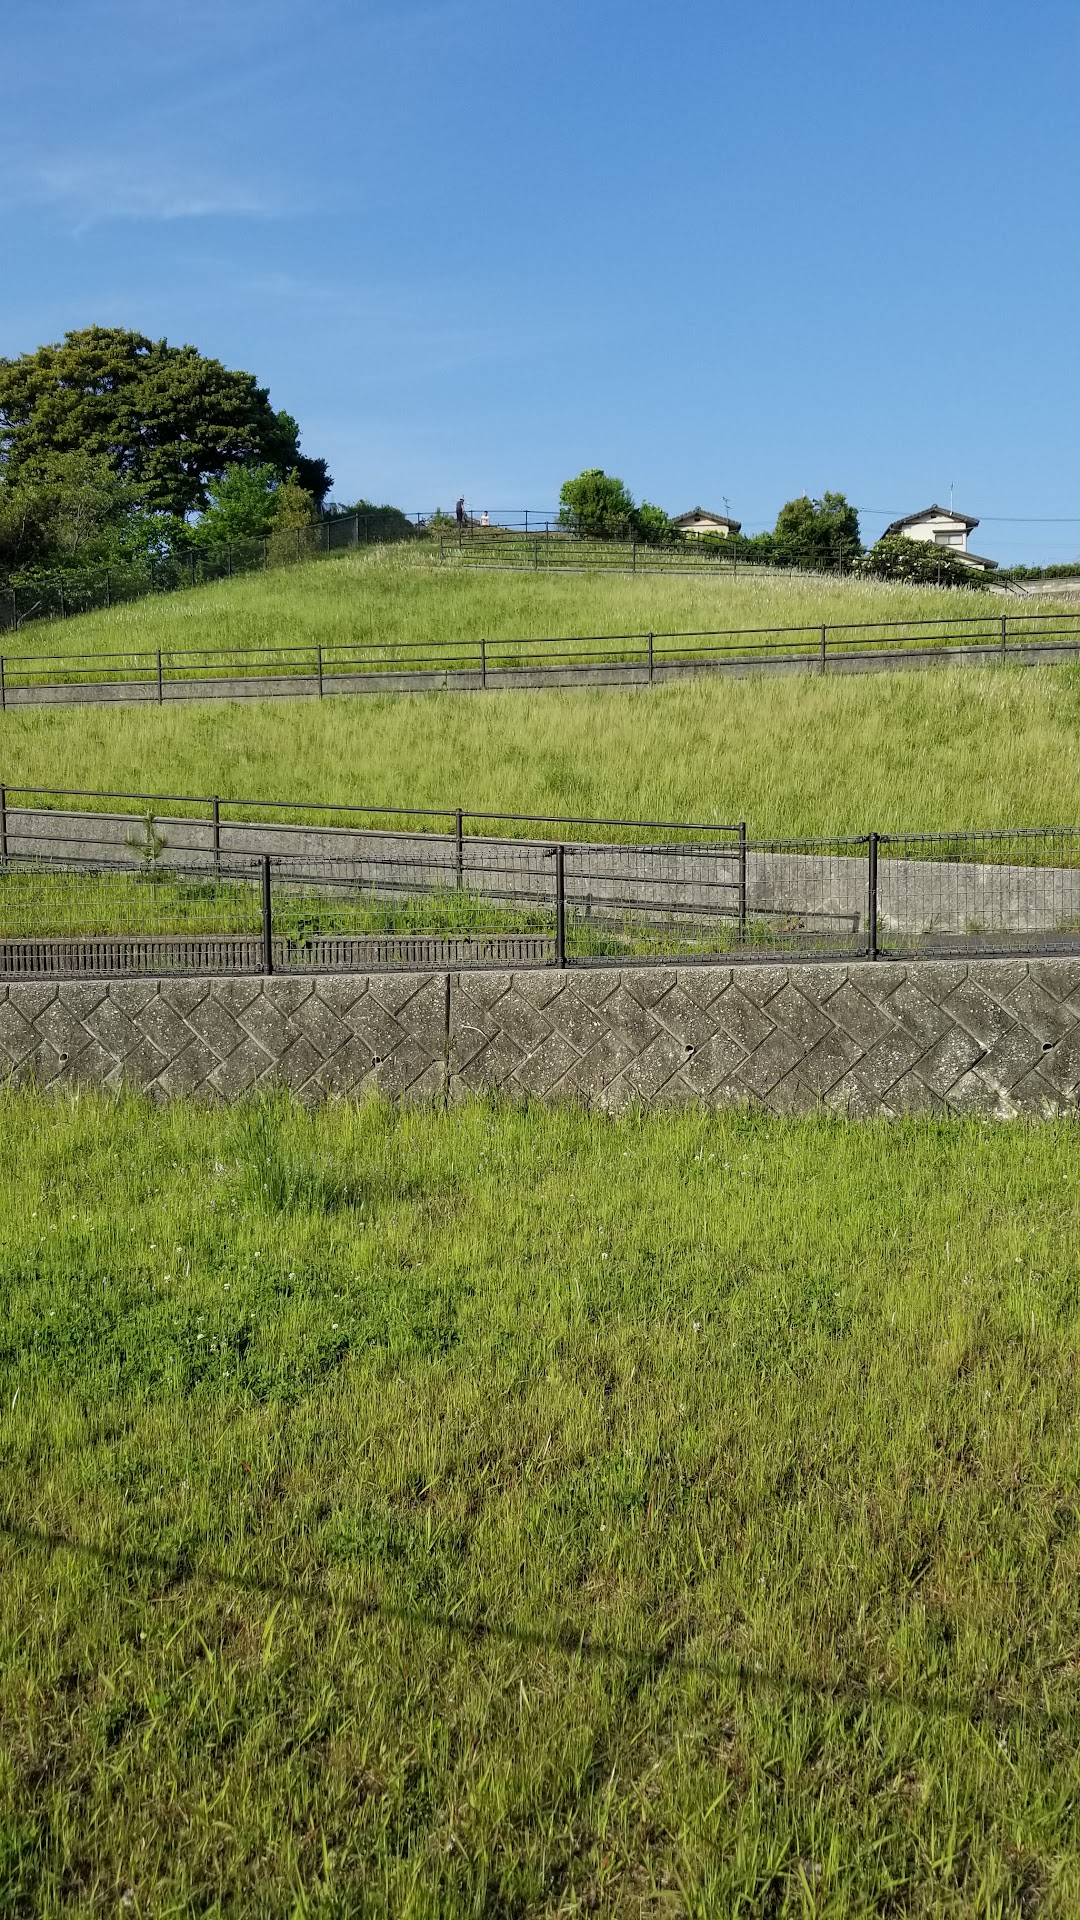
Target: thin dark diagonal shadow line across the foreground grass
<point>854,1696</point>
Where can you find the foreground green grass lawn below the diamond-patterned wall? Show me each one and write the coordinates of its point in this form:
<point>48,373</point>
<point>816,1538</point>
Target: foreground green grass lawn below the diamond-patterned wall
<point>516,1512</point>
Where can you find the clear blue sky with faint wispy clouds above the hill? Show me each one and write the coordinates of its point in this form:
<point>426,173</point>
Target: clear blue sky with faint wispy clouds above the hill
<point>724,251</point>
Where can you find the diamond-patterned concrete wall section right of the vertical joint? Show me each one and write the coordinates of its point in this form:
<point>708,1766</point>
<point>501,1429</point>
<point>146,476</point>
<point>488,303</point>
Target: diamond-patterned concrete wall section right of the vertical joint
<point>994,1038</point>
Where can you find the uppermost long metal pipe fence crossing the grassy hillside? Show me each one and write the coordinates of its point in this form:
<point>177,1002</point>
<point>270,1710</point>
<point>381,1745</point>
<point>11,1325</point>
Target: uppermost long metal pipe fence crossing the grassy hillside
<point>491,663</point>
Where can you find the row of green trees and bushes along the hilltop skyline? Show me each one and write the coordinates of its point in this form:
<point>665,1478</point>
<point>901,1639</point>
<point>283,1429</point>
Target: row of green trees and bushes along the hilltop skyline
<point>118,450</point>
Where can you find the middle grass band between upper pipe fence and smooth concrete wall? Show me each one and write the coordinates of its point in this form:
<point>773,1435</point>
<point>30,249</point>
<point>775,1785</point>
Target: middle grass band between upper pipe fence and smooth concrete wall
<point>839,756</point>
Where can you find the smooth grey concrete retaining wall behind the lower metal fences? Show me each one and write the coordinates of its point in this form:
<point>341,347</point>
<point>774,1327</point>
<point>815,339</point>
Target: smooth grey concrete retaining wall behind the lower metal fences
<point>920,901</point>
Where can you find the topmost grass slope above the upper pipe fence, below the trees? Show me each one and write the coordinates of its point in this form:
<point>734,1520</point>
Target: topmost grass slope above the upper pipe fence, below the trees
<point>393,598</point>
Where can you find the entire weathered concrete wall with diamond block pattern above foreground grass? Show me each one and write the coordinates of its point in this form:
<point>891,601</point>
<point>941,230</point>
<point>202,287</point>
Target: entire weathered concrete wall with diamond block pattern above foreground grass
<point>996,1038</point>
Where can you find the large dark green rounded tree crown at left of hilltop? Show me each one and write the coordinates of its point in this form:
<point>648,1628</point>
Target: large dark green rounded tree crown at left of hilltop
<point>166,420</point>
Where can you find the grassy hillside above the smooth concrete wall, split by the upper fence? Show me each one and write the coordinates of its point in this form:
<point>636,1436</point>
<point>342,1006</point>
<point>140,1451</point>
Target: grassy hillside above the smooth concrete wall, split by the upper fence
<point>789,756</point>
